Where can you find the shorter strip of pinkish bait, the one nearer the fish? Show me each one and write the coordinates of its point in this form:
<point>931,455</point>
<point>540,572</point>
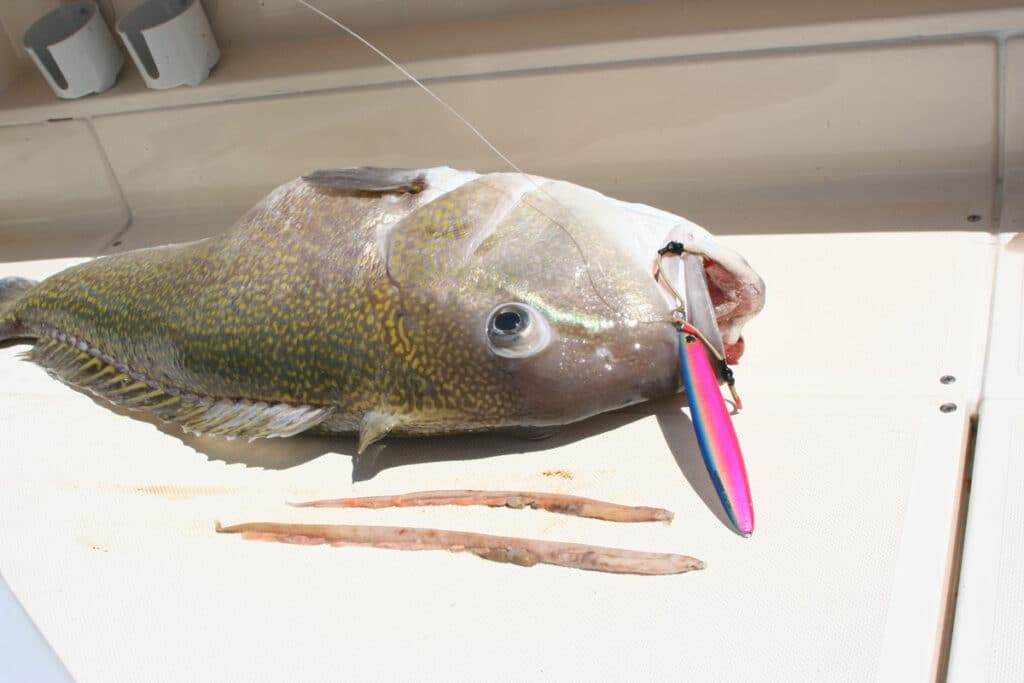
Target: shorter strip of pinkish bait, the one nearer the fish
<point>563,503</point>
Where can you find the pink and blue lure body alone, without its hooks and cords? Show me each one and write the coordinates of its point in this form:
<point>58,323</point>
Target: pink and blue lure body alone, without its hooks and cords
<point>716,436</point>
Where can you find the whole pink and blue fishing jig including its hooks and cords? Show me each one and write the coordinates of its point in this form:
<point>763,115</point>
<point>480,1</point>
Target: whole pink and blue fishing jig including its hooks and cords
<point>715,433</point>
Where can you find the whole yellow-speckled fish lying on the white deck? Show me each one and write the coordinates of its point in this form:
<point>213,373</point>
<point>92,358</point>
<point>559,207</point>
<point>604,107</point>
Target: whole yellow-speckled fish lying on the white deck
<point>378,302</point>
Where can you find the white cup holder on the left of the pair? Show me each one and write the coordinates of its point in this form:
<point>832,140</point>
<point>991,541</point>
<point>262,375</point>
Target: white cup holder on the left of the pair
<point>75,51</point>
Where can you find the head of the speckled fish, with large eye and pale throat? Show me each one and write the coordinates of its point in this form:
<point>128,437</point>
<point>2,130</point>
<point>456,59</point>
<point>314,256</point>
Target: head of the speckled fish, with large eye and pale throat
<point>547,296</point>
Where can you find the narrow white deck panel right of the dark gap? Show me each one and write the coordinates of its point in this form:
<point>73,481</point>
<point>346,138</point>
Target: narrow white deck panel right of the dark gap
<point>989,637</point>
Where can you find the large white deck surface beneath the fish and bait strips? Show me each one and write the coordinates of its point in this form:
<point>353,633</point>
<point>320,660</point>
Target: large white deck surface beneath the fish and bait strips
<point>108,537</point>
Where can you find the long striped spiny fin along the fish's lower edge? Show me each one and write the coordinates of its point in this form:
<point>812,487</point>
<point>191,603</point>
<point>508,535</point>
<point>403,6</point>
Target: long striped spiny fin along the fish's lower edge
<point>75,364</point>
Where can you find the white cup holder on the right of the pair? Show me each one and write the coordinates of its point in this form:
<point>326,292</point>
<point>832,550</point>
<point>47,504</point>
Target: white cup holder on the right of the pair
<point>170,41</point>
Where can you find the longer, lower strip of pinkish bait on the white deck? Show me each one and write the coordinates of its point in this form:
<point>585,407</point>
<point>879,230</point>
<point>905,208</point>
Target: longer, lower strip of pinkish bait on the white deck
<point>525,552</point>
